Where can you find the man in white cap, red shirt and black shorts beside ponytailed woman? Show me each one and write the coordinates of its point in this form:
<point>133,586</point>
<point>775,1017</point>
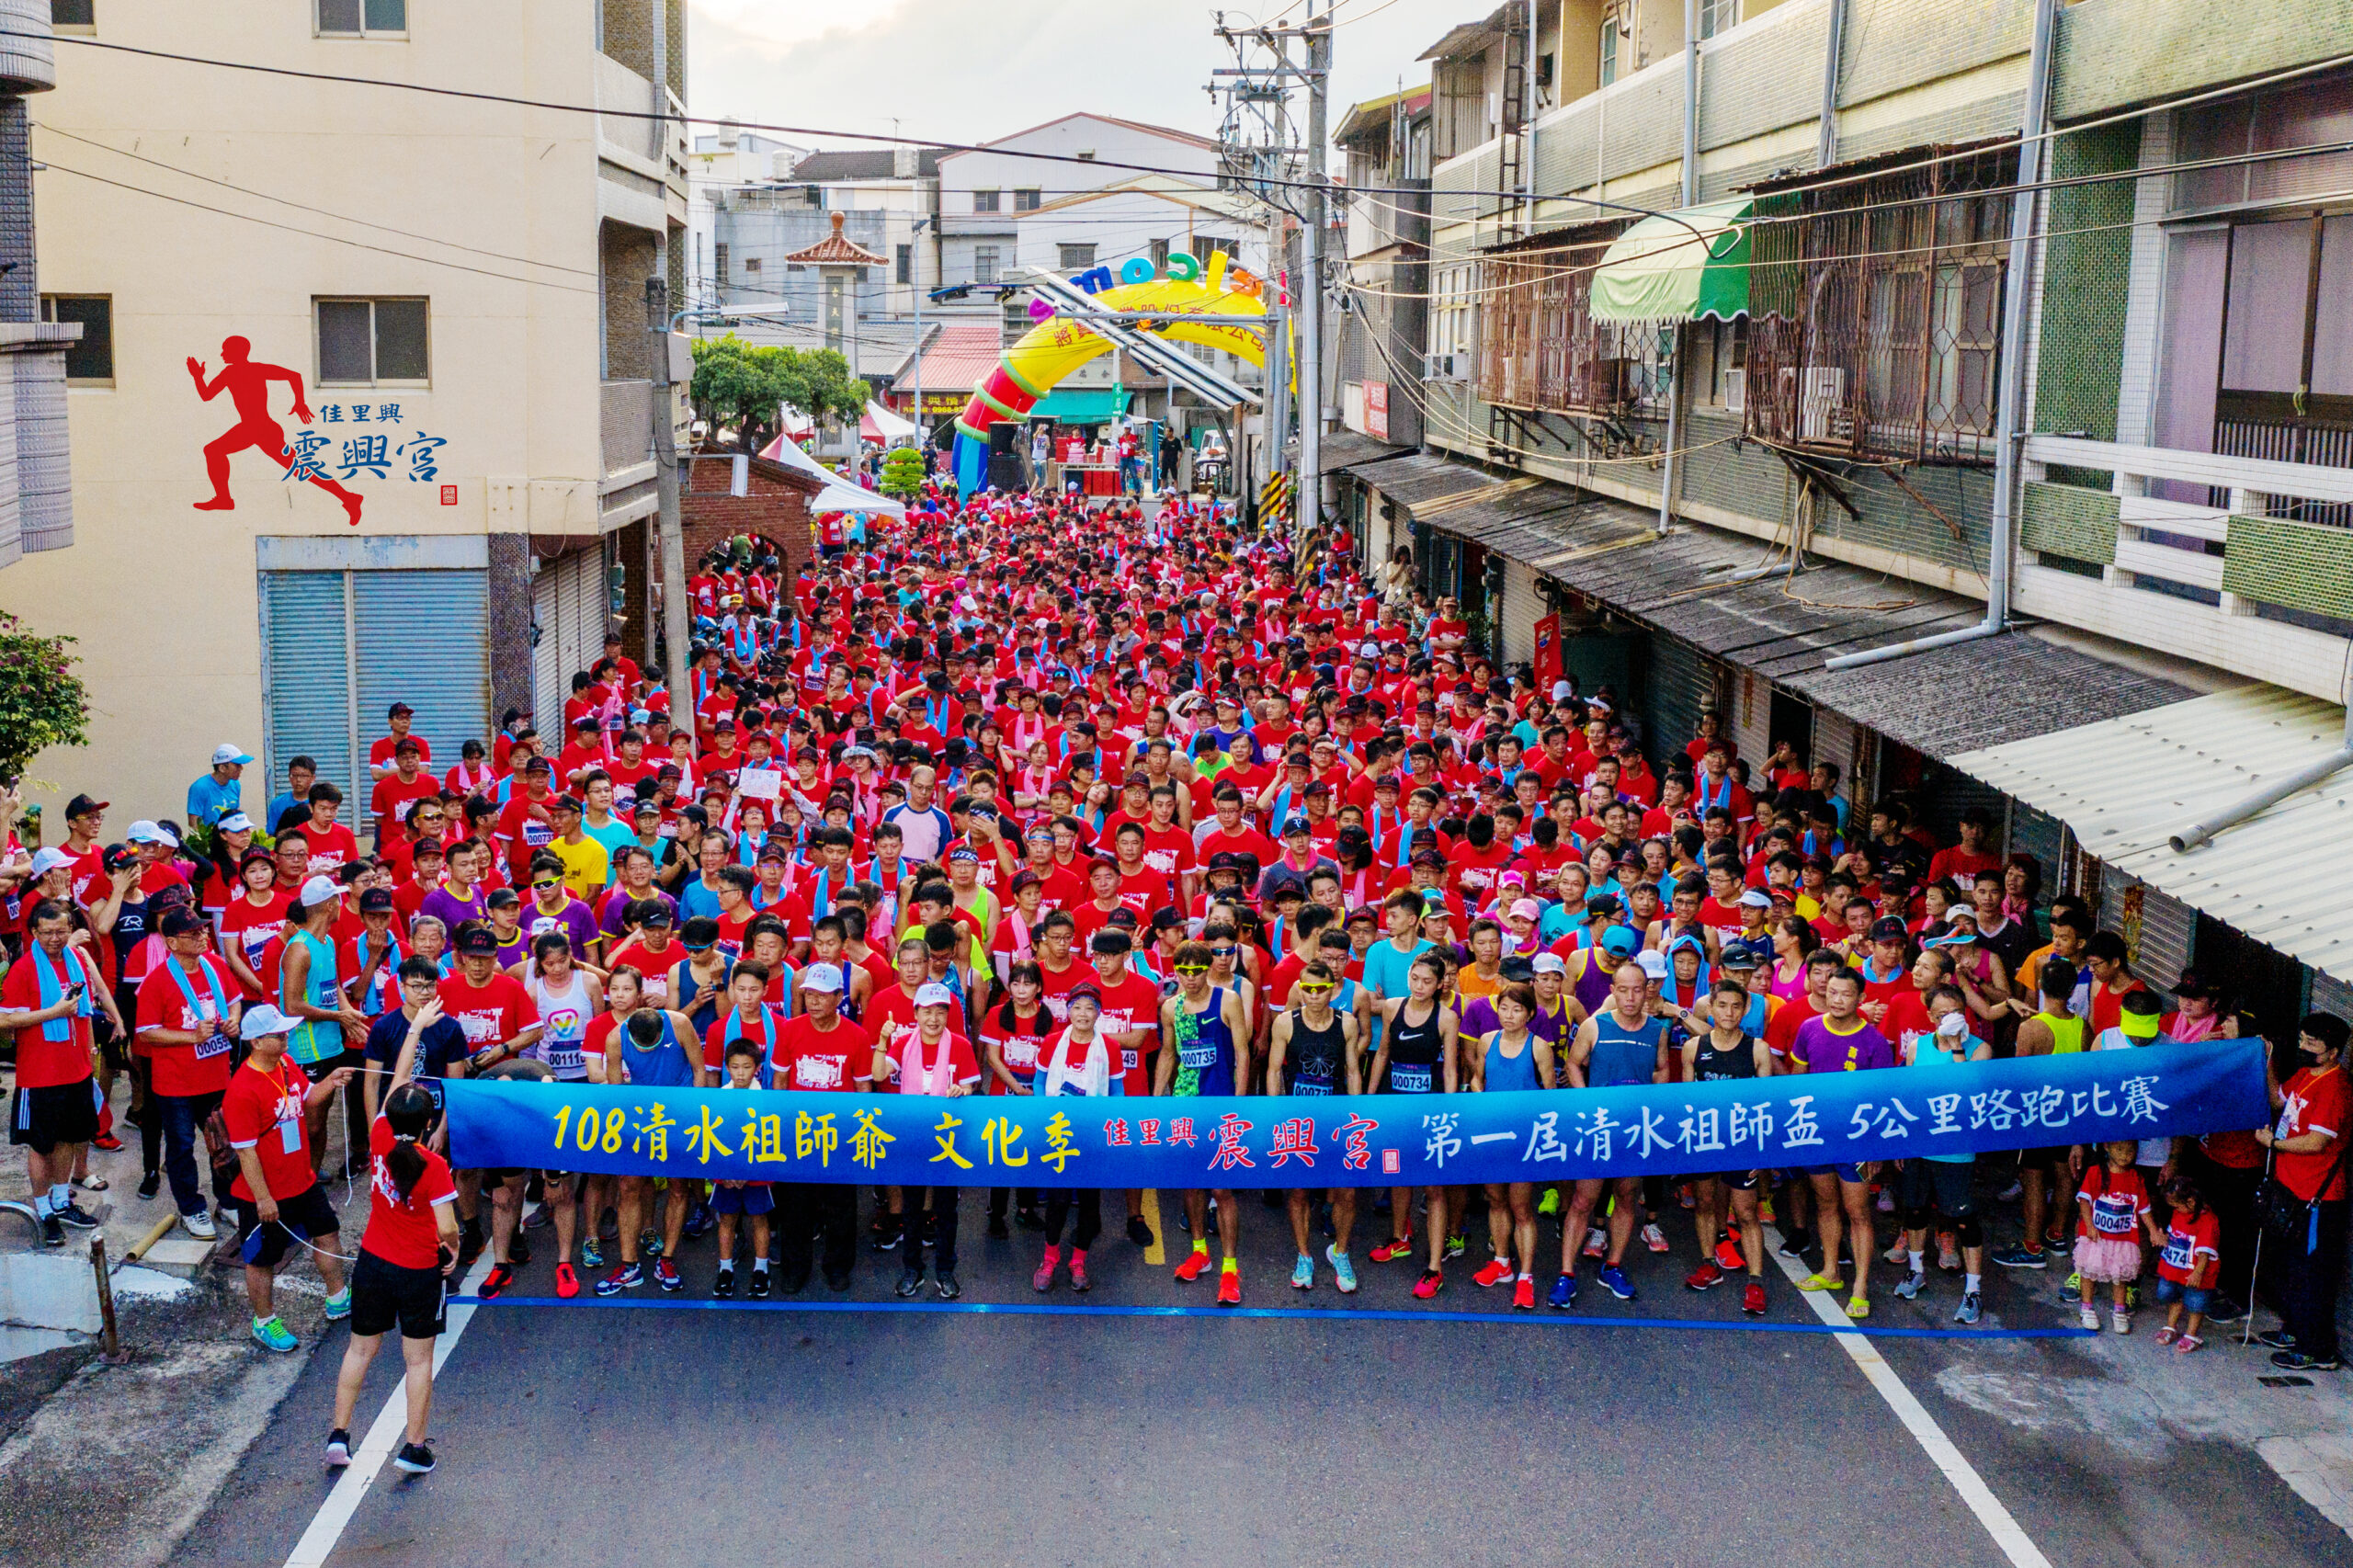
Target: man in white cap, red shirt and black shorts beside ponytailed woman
<point>281,1207</point>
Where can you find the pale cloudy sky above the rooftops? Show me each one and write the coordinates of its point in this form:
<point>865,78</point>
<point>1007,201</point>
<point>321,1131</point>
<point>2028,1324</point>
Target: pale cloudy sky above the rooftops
<point>978,69</point>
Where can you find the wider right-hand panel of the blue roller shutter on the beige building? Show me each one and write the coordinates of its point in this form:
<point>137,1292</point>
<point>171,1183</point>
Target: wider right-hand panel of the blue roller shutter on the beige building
<point>446,613</point>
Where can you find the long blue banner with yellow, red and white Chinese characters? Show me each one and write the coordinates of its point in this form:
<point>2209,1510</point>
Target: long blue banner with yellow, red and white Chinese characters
<point>1361,1141</point>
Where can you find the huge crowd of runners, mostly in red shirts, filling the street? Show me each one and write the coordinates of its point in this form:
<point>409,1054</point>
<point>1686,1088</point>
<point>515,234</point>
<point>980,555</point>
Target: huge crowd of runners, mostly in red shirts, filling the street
<point>1036,799</point>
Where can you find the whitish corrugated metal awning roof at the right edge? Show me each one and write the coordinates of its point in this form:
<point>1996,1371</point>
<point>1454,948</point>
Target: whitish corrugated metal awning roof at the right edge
<point>2128,785</point>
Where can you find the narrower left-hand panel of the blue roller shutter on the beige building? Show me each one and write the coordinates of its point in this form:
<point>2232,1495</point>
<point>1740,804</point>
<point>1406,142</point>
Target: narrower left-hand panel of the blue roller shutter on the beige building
<point>307,679</point>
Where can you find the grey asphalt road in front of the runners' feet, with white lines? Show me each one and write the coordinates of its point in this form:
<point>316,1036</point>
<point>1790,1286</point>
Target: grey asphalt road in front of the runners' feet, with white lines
<point>608,1435</point>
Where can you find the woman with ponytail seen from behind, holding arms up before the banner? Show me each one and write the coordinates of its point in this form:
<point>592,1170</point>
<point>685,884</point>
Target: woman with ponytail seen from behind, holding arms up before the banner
<point>406,1261</point>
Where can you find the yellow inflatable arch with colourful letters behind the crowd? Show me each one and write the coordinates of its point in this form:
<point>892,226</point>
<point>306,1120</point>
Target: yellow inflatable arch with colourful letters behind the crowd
<point>1194,295</point>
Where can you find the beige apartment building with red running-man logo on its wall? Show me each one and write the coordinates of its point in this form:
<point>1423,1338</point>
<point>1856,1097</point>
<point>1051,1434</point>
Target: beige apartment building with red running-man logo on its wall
<point>434,307</point>
